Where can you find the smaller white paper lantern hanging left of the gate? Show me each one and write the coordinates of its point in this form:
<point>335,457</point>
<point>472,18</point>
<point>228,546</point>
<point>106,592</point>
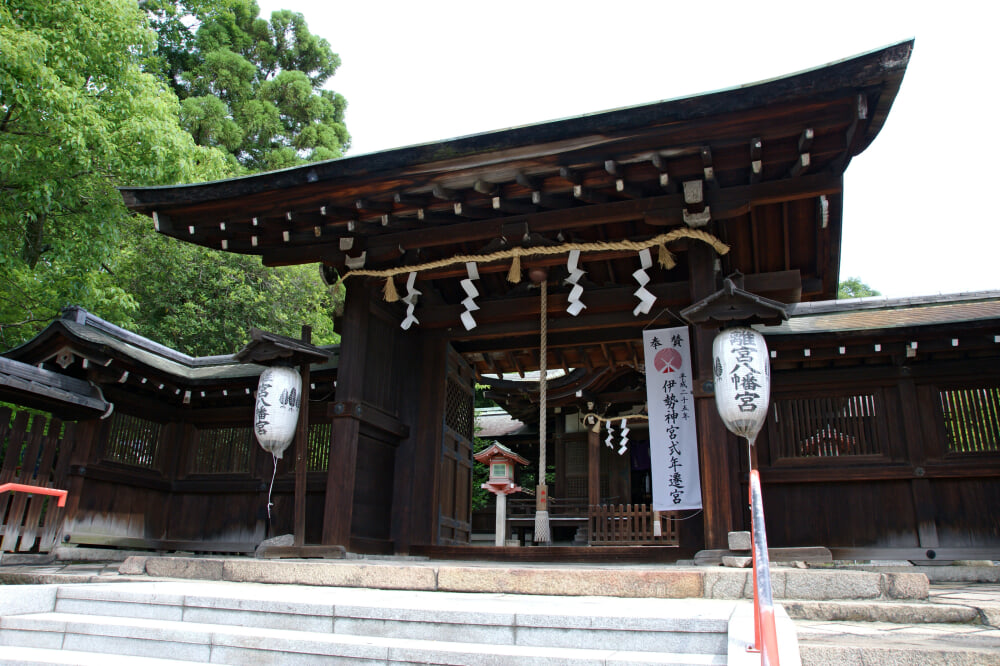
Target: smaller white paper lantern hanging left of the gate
<point>276,414</point>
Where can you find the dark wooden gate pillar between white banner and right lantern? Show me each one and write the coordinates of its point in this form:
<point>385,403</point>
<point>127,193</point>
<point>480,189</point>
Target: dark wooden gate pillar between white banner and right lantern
<point>717,475</point>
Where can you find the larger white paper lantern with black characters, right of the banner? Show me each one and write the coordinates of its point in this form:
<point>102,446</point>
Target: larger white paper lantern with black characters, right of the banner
<point>742,370</point>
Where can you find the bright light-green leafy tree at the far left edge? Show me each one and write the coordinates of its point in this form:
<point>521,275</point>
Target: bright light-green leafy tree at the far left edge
<point>77,117</point>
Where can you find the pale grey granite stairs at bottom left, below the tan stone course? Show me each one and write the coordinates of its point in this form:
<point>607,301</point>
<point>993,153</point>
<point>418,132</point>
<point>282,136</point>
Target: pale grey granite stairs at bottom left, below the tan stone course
<point>246,623</point>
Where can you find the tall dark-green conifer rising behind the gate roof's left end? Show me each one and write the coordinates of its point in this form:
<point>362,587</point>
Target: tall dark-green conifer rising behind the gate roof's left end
<point>250,86</point>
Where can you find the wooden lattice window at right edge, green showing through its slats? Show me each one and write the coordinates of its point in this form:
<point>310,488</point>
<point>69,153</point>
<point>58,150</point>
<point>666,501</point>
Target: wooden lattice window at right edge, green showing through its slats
<point>972,419</point>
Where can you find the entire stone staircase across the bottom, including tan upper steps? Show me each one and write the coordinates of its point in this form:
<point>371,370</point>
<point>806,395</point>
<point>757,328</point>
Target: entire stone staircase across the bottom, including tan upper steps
<point>156,610</point>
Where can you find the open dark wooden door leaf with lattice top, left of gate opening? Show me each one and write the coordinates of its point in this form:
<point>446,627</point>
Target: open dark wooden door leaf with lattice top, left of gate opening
<point>455,478</point>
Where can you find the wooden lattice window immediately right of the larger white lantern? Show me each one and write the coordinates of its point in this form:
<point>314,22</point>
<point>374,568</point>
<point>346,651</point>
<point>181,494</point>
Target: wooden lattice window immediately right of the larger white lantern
<point>824,427</point>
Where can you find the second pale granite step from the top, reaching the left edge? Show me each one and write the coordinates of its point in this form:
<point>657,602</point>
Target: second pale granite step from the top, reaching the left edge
<point>219,643</point>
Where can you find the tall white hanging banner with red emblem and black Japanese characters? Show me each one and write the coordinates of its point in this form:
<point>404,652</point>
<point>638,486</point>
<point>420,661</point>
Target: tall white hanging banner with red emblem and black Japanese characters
<point>673,438</point>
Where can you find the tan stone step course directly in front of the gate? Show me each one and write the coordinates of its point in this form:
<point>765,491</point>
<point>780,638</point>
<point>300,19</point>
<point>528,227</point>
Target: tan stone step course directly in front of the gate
<point>614,581</point>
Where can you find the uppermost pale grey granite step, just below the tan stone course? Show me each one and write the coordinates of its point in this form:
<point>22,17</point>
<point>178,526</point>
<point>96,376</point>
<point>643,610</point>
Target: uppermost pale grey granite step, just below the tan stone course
<point>695,625</point>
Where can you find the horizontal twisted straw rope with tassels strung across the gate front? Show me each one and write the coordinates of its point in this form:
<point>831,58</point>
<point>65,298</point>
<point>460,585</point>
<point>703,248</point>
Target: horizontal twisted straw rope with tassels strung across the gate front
<point>665,257</point>
